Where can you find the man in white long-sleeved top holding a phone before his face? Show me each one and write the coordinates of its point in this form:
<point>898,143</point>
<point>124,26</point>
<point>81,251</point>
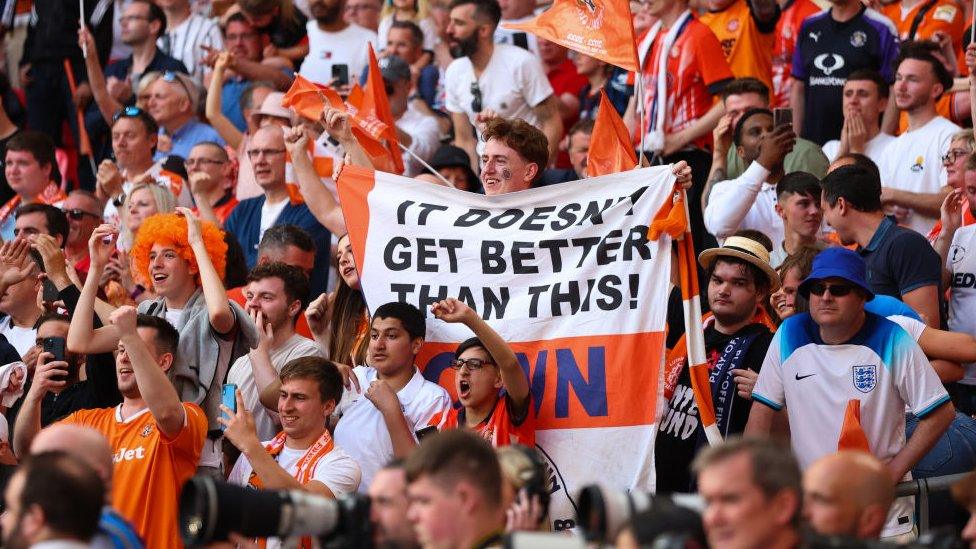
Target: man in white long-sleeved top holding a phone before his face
<point>748,202</point>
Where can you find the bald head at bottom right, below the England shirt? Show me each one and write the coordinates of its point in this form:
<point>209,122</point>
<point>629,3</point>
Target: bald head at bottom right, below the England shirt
<point>847,493</point>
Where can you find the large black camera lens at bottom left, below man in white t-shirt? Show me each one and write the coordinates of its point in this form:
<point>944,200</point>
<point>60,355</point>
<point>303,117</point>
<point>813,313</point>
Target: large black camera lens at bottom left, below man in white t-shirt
<point>210,510</point>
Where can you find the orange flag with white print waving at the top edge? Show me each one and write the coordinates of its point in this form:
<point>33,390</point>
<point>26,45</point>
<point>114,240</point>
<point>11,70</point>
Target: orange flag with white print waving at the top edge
<point>598,28</point>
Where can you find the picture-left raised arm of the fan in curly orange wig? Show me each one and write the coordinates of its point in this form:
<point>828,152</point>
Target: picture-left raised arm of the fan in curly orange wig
<point>82,336</point>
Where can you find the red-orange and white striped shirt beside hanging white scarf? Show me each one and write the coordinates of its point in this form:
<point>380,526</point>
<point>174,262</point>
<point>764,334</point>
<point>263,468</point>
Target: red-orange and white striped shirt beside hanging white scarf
<point>695,65</point>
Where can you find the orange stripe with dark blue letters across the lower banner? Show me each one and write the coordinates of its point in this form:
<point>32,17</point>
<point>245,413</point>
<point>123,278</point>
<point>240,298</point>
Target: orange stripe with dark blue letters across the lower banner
<point>590,381</point>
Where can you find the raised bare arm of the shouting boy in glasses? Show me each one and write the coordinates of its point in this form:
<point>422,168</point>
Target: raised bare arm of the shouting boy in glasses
<point>514,379</point>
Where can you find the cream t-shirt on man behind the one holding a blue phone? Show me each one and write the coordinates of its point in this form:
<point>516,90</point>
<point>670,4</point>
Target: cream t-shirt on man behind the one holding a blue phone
<point>242,375</point>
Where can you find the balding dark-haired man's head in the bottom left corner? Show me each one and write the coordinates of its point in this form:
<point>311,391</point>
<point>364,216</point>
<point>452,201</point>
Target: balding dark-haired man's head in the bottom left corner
<point>54,500</point>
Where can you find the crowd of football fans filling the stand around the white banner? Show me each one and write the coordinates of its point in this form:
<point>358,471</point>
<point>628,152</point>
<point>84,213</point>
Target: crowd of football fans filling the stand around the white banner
<point>170,229</point>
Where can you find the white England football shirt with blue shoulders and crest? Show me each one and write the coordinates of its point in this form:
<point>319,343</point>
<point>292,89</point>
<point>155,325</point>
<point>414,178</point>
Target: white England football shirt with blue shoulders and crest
<point>882,366</point>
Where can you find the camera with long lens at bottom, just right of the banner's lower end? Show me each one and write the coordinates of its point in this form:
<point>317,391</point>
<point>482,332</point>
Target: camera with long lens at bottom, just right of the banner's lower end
<point>603,513</point>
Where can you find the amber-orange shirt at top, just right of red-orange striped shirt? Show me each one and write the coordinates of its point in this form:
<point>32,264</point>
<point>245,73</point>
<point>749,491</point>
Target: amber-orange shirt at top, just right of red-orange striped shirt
<point>747,48</point>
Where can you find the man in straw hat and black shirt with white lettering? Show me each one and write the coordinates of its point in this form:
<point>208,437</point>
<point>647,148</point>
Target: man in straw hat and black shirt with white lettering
<point>736,338</point>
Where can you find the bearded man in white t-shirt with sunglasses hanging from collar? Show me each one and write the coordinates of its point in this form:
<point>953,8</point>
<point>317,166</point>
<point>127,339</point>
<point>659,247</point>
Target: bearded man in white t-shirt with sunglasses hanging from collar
<point>488,79</point>
